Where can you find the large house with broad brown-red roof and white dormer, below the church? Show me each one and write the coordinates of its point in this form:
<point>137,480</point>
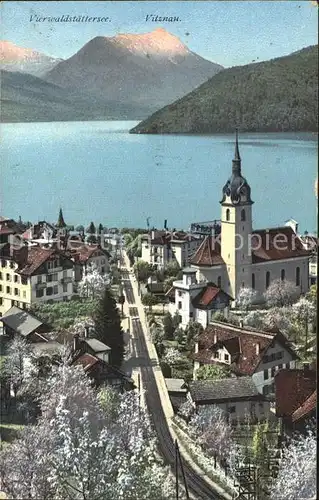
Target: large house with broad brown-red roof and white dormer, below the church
<point>246,352</point>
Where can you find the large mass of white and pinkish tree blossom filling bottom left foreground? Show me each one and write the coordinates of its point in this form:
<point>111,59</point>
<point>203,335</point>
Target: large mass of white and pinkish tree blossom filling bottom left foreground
<point>85,447</point>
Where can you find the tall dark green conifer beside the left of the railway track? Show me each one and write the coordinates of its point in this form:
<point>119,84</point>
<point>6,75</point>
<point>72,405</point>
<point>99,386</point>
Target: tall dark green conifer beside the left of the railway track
<point>107,324</point>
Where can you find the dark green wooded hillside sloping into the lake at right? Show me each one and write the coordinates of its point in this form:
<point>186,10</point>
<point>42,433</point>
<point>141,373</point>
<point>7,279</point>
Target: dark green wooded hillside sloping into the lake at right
<point>277,95</point>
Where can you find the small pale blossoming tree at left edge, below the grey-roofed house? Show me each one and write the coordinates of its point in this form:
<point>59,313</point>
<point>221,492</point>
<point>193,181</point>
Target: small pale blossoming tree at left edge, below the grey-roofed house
<point>14,366</point>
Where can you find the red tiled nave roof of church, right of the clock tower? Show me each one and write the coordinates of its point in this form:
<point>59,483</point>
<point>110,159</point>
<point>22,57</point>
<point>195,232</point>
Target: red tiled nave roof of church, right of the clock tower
<point>275,244</point>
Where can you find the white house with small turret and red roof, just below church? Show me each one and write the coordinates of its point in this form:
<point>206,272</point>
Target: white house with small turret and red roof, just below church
<point>196,301</point>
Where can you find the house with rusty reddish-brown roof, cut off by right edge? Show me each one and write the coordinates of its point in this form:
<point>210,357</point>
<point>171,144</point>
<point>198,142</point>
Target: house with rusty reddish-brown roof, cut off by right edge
<point>296,398</point>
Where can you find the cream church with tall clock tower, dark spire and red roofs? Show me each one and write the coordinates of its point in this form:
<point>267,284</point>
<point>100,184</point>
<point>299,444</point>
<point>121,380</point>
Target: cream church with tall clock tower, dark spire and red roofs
<point>243,257</point>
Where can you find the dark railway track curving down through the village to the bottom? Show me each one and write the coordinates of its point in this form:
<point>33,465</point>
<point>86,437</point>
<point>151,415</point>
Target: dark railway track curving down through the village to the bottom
<point>196,484</point>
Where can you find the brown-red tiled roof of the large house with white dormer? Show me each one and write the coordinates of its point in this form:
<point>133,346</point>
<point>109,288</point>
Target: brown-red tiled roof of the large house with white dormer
<point>241,343</point>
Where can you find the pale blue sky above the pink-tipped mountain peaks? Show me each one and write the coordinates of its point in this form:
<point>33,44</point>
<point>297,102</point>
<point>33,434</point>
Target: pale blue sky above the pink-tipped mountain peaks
<point>230,33</point>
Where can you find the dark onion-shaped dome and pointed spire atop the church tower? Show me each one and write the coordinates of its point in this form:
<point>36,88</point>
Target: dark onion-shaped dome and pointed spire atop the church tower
<point>237,188</point>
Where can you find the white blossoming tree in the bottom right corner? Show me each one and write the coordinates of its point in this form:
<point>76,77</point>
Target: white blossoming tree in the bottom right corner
<point>298,469</point>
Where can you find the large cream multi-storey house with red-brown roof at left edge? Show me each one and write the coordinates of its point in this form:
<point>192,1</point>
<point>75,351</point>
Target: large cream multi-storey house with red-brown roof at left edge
<point>34,274</point>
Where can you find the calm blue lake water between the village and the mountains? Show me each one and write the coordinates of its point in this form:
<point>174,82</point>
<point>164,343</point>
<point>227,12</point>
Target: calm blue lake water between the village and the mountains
<point>98,171</point>
